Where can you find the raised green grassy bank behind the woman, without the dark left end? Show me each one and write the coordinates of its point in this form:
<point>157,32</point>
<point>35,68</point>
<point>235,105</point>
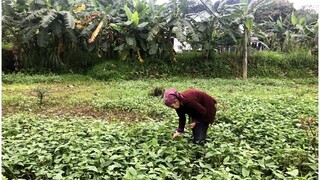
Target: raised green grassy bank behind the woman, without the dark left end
<point>227,65</point>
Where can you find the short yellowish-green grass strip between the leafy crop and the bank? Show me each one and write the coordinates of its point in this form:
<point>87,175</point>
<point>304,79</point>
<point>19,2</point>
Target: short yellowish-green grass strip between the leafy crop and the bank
<point>70,90</point>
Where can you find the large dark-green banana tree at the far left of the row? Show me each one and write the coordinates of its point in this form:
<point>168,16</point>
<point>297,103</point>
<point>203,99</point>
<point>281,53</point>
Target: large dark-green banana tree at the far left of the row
<point>44,27</point>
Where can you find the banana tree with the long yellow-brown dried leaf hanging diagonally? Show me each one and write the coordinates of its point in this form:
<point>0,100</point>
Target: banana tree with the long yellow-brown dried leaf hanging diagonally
<point>93,22</point>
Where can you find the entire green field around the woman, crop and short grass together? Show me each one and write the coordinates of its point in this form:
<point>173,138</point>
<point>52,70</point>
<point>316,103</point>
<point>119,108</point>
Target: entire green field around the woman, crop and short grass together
<point>75,127</point>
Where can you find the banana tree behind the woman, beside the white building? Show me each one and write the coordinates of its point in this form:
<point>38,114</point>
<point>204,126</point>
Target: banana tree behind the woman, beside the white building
<point>171,22</point>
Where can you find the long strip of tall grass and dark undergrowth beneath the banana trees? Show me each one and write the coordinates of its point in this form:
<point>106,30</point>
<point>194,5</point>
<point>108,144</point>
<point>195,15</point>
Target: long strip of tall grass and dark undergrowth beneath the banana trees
<point>188,64</point>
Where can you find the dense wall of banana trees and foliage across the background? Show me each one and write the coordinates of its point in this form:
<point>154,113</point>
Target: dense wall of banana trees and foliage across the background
<point>74,35</point>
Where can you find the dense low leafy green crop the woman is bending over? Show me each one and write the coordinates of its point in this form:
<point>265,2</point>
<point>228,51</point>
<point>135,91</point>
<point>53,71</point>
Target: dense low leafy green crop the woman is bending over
<point>252,138</point>
